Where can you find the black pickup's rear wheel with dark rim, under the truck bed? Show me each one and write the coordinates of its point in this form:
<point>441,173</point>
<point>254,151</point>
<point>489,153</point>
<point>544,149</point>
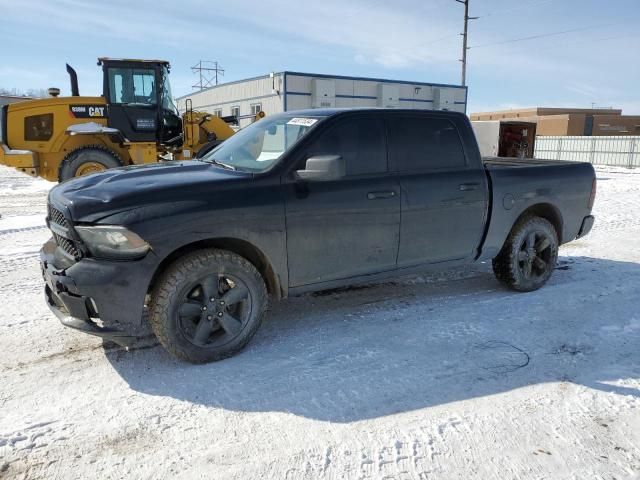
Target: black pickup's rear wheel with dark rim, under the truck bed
<point>528,256</point>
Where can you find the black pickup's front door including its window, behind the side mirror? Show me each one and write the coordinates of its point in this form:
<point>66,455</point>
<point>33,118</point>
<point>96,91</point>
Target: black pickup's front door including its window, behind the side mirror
<point>348,227</point>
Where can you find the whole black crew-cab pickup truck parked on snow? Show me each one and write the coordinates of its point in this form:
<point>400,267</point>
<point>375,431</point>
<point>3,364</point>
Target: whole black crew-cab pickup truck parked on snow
<point>297,202</point>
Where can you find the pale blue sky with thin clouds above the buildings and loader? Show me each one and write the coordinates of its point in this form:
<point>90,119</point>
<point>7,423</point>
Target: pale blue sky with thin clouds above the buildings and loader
<point>595,62</point>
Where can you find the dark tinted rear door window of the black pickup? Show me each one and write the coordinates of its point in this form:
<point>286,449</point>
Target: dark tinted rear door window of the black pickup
<point>423,143</point>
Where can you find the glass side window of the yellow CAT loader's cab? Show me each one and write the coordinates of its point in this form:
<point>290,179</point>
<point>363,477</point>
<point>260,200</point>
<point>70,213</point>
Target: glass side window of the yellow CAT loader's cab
<point>129,85</point>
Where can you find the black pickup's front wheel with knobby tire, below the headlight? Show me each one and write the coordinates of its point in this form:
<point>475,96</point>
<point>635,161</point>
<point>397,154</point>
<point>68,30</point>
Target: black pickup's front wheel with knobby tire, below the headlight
<point>191,326</point>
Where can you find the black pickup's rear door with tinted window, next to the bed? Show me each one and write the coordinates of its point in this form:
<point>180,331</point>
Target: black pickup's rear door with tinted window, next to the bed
<point>443,200</point>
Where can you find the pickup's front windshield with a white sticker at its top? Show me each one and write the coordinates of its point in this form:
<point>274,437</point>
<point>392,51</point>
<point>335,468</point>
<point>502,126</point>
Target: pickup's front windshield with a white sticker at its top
<point>261,144</point>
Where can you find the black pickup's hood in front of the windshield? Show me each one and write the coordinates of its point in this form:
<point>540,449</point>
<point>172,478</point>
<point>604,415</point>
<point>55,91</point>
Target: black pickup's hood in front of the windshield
<point>117,190</point>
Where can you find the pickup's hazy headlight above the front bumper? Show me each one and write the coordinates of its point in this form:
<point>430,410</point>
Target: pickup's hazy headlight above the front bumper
<point>112,241</point>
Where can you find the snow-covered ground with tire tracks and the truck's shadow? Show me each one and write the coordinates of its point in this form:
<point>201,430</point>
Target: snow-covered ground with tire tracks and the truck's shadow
<point>446,376</point>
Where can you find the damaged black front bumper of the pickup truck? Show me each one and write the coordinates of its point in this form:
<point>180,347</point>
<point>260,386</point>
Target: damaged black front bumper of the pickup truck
<point>105,299</point>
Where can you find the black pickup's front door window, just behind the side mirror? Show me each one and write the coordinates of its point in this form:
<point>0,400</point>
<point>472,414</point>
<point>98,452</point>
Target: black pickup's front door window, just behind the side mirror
<point>360,141</point>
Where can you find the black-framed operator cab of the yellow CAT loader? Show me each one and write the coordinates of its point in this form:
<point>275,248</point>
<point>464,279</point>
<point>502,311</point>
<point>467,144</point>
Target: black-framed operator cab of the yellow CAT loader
<point>139,100</point>
